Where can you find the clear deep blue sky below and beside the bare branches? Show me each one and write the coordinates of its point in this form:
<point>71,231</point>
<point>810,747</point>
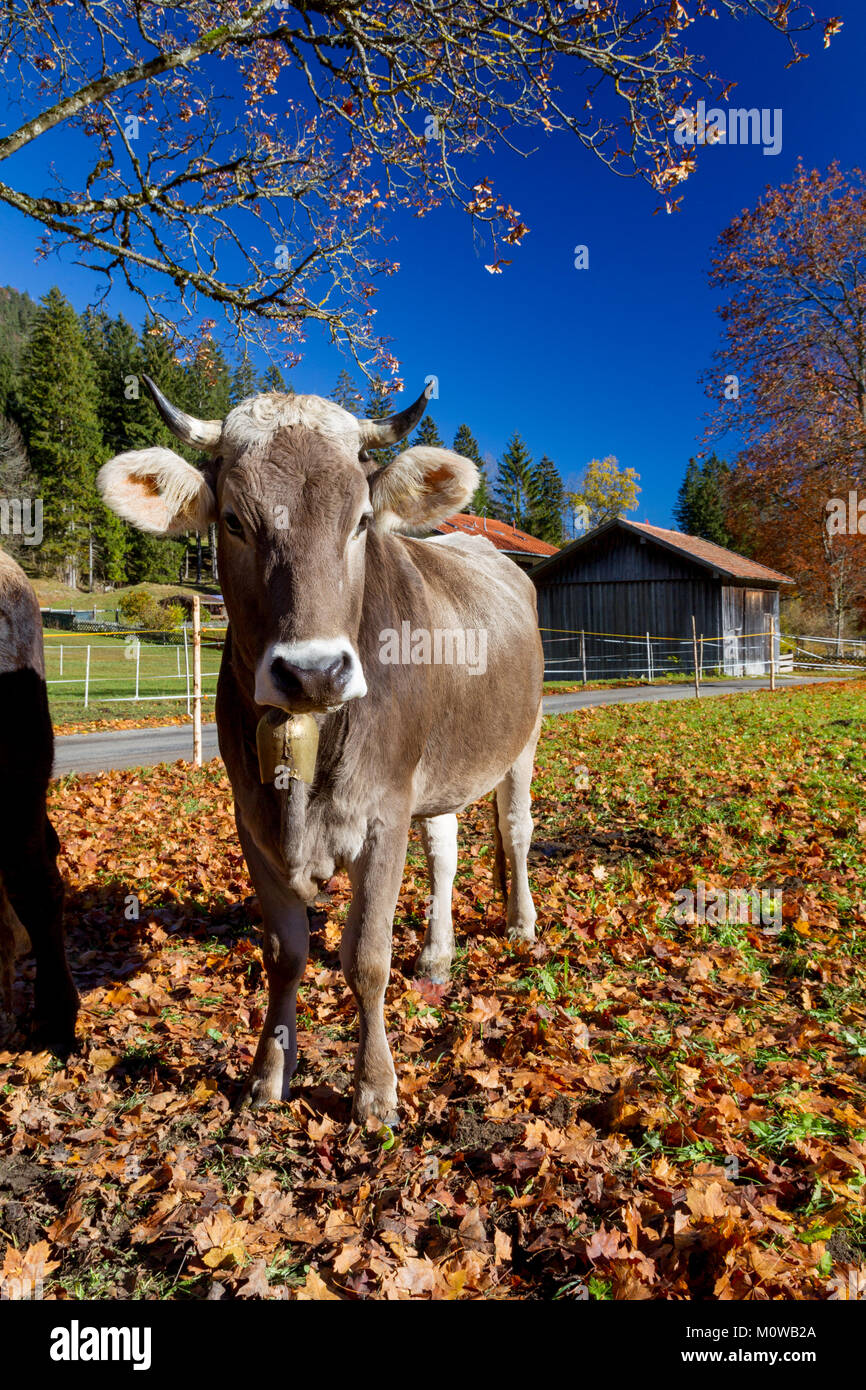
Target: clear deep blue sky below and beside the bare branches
<point>582,363</point>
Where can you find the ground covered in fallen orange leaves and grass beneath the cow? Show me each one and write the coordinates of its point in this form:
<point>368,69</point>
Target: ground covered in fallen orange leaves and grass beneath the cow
<point>632,1110</point>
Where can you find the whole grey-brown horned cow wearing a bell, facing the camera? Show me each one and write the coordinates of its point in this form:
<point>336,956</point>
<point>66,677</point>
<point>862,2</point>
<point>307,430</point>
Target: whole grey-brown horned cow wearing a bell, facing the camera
<point>415,665</point>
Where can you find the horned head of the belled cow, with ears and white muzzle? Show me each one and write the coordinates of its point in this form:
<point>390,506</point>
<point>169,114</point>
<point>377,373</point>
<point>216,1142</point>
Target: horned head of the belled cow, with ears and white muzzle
<point>294,493</point>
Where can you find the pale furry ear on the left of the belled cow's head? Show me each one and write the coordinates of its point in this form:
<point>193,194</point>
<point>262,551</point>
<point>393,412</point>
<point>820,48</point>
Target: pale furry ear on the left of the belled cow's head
<point>158,491</point>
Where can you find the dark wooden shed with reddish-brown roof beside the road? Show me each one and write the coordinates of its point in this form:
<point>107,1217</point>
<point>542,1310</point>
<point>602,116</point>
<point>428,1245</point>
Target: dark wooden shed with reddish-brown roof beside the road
<point>632,580</point>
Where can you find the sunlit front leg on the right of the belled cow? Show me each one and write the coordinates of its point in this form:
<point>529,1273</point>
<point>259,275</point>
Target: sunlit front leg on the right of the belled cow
<point>366,958</point>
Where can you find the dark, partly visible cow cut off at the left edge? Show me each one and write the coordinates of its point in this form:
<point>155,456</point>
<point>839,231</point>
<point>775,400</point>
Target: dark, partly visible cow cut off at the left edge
<point>31,889</point>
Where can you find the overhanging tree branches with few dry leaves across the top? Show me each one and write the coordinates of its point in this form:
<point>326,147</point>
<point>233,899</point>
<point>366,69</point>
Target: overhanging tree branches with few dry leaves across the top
<point>248,156</point>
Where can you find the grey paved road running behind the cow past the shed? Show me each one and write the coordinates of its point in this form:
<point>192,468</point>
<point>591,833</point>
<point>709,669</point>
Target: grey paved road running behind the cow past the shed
<point>115,750</point>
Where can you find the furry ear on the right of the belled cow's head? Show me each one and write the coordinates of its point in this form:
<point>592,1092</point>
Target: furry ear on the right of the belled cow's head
<point>422,489</point>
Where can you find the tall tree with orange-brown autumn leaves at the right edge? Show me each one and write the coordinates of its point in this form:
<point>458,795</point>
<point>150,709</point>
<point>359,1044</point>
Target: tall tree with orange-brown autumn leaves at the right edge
<point>790,380</point>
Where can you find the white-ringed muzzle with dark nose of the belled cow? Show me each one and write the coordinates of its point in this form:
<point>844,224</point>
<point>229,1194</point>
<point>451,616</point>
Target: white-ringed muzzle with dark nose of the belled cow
<point>315,675</point>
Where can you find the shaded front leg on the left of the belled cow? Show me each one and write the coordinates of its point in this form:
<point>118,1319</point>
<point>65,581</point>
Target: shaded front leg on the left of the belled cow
<point>286,947</point>
